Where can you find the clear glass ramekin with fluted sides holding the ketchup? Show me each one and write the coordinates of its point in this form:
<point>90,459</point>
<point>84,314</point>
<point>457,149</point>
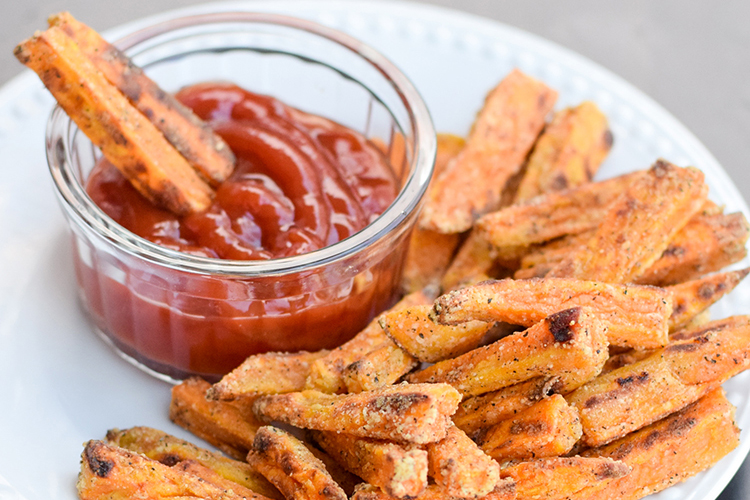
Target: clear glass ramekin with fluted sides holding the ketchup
<point>176,315</point>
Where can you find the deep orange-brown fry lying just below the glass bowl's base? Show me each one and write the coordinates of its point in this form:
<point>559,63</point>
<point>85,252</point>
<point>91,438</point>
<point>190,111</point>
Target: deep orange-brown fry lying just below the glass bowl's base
<point>223,424</point>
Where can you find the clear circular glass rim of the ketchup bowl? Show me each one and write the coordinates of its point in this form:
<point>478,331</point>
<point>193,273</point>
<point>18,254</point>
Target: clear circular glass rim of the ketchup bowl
<point>80,206</point>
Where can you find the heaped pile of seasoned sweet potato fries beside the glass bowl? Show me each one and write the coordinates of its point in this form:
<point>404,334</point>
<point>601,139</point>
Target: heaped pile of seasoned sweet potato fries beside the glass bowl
<point>553,342</point>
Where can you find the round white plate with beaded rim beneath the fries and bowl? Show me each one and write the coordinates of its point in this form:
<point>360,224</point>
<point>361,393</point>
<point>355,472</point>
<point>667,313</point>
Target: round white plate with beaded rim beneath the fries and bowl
<point>60,385</point>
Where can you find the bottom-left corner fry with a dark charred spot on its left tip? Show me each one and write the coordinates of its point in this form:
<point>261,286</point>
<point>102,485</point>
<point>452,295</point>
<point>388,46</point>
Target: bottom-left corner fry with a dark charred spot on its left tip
<point>109,472</point>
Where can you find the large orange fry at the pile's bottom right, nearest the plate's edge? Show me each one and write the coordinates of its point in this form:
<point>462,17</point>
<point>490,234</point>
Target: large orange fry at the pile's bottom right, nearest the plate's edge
<point>669,451</point>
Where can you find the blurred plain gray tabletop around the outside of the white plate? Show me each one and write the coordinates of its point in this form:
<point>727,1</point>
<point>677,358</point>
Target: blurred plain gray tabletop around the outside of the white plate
<point>691,57</point>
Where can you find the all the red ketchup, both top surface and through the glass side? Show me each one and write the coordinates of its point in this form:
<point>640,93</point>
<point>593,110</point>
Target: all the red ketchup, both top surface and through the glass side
<point>301,183</point>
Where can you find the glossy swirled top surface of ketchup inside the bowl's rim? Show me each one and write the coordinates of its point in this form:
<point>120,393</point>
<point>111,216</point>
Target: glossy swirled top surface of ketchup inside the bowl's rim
<point>301,183</point>
